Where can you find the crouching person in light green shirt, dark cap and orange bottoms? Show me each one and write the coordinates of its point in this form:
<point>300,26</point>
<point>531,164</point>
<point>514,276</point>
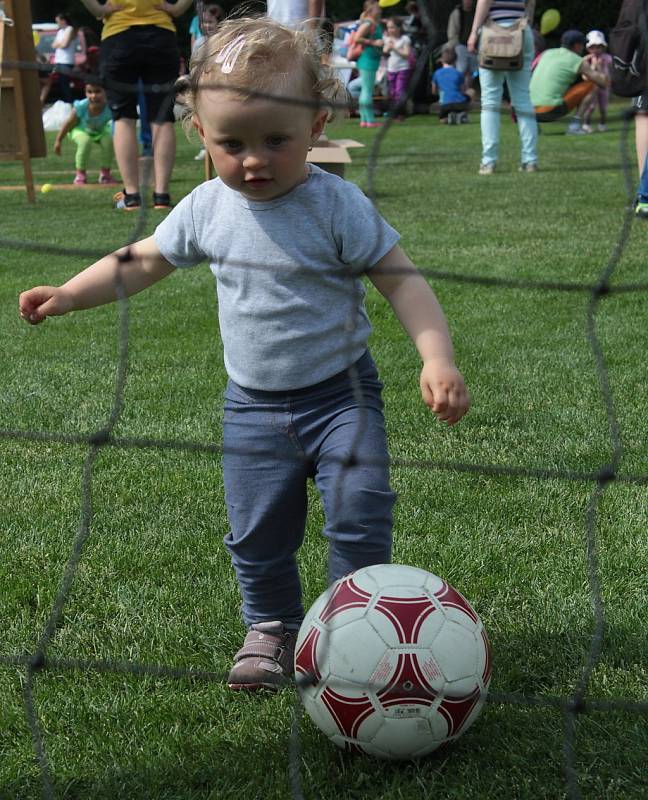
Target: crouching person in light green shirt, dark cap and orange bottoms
<point>563,81</point>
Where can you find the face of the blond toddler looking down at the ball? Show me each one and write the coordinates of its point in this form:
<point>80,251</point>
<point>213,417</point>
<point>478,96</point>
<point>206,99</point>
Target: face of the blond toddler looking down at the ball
<point>258,146</point>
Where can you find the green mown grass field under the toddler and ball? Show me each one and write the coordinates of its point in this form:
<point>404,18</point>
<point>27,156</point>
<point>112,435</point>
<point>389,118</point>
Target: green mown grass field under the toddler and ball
<point>153,585</point>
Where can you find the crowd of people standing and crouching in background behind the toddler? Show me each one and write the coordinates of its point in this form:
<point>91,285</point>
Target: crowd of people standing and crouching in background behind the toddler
<point>571,80</point>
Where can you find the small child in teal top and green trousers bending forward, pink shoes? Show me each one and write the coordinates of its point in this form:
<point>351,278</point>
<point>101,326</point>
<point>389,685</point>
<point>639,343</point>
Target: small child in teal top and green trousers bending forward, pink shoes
<point>89,122</point>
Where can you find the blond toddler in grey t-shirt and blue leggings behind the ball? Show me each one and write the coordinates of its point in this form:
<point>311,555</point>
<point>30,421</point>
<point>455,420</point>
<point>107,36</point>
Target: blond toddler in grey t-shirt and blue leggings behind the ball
<point>288,244</point>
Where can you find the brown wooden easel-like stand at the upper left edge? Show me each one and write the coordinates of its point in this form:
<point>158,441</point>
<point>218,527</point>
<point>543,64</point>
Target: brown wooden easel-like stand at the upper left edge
<point>21,122</point>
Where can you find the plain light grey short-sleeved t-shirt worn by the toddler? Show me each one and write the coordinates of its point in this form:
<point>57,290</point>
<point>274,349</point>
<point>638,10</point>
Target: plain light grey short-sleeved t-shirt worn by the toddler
<point>288,275</point>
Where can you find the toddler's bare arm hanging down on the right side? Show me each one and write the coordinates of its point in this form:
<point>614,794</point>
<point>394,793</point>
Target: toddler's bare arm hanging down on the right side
<point>416,306</point>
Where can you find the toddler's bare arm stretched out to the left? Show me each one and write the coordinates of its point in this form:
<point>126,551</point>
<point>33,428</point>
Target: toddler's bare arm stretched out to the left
<point>134,268</point>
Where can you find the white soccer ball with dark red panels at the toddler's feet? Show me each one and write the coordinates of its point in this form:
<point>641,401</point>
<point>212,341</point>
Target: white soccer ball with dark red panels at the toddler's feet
<point>392,661</point>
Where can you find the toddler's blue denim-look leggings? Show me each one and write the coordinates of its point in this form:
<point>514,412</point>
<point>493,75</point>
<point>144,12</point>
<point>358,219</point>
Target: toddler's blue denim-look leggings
<point>273,443</point>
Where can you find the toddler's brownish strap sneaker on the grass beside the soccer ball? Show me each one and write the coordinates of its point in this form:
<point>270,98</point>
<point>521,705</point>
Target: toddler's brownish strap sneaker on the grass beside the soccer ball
<point>266,660</point>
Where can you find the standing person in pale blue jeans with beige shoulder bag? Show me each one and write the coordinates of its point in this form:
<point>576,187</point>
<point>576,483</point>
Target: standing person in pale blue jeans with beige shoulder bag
<point>506,13</point>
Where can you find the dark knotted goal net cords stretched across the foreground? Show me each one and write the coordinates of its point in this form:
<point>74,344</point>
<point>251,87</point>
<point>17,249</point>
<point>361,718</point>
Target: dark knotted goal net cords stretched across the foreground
<point>572,706</point>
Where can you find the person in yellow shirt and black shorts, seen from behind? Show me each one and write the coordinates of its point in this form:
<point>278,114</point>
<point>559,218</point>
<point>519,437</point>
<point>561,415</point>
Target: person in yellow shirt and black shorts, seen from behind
<point>138,42</point>
